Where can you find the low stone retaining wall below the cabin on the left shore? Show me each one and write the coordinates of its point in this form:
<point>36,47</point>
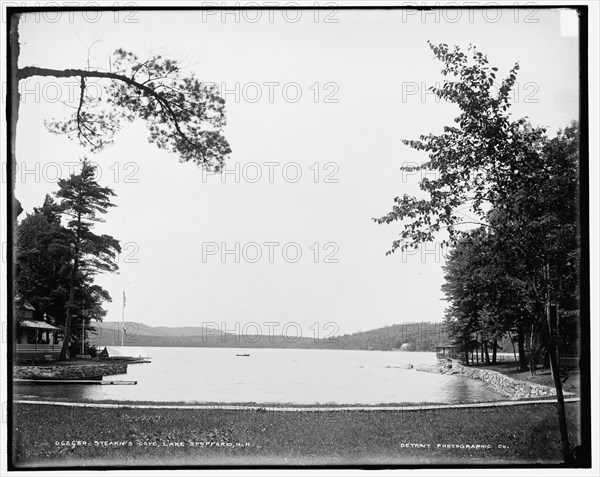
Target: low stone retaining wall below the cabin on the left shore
<point>76,371</point>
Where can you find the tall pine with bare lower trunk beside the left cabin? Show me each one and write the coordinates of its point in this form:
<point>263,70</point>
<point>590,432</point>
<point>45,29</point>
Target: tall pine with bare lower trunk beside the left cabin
<point>83,200</point>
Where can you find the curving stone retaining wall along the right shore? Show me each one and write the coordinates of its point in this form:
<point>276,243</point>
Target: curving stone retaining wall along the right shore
<point>498,382</point>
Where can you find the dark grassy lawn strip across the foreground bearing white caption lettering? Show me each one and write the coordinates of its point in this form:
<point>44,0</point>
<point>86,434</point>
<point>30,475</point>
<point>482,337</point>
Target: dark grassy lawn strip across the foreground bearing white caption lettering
<point>46,436</point>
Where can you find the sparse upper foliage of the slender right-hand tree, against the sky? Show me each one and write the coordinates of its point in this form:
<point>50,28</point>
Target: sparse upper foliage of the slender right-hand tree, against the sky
<point>475,161</point>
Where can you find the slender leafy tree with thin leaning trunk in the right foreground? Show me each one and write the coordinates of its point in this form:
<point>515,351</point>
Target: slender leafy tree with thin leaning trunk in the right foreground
<point>491,166</point>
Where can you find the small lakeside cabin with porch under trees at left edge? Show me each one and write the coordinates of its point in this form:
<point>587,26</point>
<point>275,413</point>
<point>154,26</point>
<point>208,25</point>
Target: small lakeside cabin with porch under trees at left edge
<point>36,340</point>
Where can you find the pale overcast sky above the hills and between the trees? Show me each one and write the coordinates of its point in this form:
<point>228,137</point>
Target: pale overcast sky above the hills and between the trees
<point>328,96</point>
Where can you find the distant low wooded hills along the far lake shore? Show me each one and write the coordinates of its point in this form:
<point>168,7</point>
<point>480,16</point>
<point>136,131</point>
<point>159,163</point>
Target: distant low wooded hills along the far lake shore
<point>415,336</point>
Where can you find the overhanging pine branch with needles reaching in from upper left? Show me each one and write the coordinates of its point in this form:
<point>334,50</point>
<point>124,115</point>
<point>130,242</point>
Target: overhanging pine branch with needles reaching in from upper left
<point>183,115</point>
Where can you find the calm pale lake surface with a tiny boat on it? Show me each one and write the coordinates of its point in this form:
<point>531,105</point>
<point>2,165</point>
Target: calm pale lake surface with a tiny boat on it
<point>201,375</point>
